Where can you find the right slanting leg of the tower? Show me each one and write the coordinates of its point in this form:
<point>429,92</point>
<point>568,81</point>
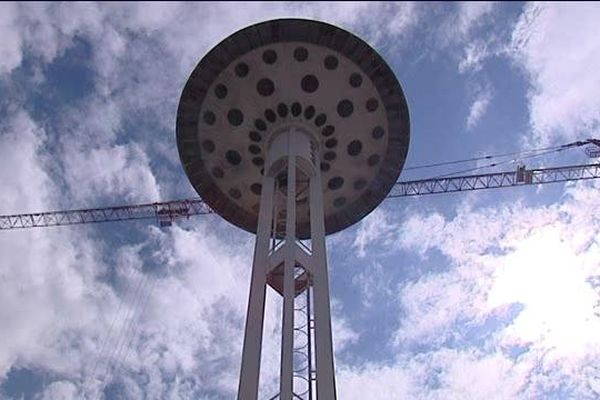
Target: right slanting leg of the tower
<point>322,311</point>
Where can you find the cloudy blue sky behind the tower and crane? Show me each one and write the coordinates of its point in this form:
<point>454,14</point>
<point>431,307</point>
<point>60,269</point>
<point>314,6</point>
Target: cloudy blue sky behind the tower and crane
<point>478,295</point>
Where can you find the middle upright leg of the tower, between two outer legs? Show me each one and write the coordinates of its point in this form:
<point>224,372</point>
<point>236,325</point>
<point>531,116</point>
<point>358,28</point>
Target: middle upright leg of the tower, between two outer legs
<point>289,290</point>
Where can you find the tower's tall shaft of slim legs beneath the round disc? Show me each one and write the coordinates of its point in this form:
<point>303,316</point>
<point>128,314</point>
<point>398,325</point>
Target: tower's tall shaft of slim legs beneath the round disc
<point>291,184</point>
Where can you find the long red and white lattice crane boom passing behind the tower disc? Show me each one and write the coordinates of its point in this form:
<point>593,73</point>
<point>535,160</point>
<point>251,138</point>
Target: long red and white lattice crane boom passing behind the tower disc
<point>167,212</point>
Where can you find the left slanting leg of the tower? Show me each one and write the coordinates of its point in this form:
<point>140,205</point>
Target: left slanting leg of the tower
<point>249,376</point>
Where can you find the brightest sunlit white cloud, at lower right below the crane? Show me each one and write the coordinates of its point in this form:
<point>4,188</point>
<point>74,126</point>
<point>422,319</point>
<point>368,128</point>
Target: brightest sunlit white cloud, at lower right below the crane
<point>542,259</point>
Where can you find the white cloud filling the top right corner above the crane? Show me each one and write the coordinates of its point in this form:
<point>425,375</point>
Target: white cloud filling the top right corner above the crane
<point>556,44</point>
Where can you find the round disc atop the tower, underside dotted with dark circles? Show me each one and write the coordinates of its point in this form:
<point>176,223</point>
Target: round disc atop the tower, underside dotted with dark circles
<point>301,72</point>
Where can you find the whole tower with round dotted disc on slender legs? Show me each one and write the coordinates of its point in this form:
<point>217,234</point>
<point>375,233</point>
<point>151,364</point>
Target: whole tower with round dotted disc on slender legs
<point>292,129</point>
